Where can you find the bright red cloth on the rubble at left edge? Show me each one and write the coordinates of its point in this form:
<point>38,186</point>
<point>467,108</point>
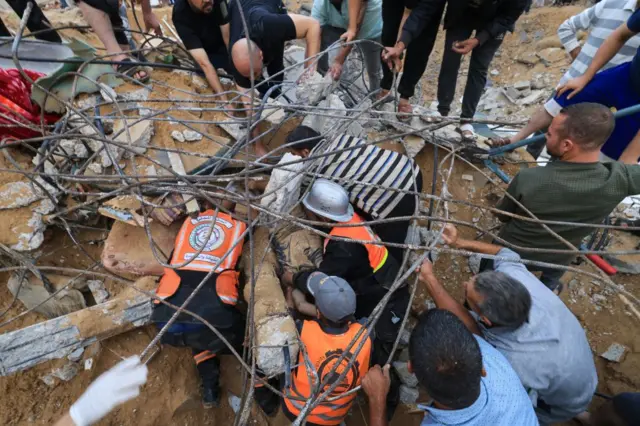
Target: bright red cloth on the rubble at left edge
<point>16,104</point>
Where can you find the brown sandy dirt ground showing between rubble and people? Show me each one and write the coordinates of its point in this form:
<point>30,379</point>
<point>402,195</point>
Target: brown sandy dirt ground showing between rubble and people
<point>171,395</point>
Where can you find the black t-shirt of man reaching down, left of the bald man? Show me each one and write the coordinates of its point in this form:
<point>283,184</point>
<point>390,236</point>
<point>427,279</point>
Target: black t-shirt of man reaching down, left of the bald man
<point>198,30</point>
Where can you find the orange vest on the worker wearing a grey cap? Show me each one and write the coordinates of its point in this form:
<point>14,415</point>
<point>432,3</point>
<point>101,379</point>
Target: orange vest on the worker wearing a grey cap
<point>324,350</point>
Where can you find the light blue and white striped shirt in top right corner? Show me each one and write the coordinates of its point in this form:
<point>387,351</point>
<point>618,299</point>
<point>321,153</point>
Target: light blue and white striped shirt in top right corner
<point>600,20</point>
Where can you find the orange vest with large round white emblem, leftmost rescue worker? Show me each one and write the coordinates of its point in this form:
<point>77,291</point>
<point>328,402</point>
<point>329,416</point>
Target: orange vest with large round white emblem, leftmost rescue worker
<point>191,238</point>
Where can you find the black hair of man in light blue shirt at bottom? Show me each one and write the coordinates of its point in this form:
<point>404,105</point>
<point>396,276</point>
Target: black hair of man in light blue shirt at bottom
<point>446,359</point>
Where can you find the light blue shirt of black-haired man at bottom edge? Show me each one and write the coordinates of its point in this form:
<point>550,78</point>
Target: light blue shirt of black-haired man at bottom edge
<point>502,401</point>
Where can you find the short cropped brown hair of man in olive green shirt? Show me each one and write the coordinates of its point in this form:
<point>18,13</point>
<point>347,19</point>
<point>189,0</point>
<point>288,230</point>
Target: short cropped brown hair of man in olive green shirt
<point>588,124</point>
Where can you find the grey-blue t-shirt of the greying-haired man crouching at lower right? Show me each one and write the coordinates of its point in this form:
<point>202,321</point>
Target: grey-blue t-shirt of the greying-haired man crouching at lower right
<point>550,352</point>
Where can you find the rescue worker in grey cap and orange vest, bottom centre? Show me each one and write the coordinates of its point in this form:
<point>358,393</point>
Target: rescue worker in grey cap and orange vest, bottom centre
<point>327,338</point>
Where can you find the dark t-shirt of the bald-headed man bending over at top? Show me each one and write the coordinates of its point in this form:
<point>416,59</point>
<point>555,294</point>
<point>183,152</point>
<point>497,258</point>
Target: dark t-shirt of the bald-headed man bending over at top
<point>269,27</point>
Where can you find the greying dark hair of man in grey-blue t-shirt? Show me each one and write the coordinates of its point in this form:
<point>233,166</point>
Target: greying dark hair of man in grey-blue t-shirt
<point>506,301</point>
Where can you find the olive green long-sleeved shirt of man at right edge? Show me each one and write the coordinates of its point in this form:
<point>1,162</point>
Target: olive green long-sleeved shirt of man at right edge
<point>564,191</point>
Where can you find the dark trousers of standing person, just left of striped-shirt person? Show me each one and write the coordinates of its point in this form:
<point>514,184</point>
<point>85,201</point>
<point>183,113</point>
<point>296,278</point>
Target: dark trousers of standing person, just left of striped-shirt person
<point>481,58</point>
